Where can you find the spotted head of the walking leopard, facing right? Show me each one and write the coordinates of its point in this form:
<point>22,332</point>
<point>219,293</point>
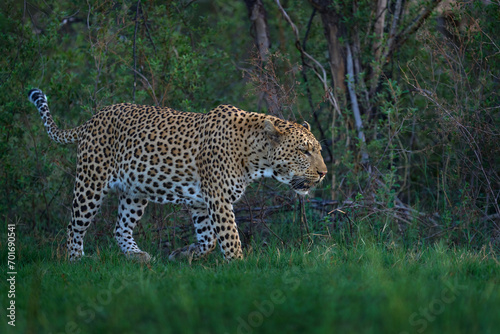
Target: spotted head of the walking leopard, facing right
<point>295,154</point>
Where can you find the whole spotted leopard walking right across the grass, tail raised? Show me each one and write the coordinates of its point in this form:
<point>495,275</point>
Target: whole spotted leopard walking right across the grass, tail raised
<point>203,161</point>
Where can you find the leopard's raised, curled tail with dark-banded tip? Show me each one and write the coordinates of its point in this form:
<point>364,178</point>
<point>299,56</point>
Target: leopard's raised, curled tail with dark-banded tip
<point>58,135</point>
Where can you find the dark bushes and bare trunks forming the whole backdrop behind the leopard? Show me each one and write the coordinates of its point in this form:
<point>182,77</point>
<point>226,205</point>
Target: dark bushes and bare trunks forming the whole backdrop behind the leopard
<point>404,96</point>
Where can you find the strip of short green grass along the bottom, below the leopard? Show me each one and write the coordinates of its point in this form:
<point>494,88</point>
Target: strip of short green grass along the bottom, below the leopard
<point>326,288</point>
